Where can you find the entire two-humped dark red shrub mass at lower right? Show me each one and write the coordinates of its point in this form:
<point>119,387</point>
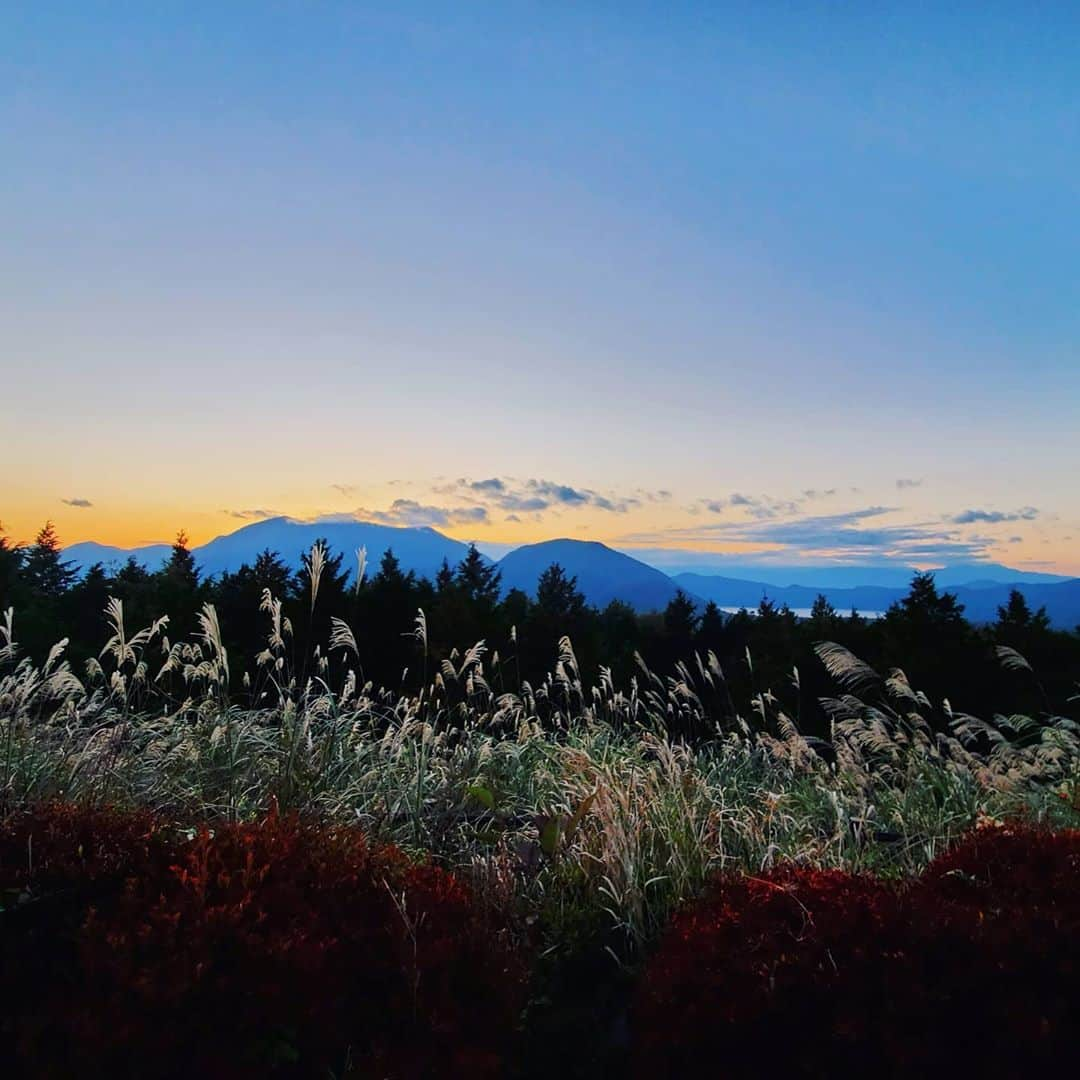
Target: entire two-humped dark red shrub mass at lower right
<point>975,970</point>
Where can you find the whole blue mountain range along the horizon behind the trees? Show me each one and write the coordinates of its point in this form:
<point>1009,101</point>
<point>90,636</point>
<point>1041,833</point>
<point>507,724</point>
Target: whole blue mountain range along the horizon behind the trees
<point>603,573</point>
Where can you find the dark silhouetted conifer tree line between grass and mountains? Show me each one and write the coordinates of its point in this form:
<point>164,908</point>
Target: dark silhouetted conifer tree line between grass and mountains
<point>925,634</point>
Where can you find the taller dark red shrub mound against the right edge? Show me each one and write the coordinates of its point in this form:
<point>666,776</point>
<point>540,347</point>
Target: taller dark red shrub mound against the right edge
<point>994,955</point>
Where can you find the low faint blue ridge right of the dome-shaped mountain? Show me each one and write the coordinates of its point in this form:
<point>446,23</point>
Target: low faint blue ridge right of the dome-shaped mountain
<point>981,600</point>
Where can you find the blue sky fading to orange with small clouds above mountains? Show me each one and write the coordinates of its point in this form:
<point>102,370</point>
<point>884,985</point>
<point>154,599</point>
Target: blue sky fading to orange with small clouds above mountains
<point>791,282</point>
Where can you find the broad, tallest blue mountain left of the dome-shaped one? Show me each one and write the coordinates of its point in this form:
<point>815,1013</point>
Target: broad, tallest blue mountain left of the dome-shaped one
<point>422,550</point>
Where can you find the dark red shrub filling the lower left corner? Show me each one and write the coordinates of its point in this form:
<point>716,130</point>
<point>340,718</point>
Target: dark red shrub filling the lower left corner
<point>262,950</point>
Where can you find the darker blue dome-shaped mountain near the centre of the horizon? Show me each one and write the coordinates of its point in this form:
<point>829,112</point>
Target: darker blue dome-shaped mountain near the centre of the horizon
<point>603,575</point>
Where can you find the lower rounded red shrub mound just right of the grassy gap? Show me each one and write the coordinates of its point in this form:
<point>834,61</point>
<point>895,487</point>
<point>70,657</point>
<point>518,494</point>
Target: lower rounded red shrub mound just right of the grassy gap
<point>771,977</point>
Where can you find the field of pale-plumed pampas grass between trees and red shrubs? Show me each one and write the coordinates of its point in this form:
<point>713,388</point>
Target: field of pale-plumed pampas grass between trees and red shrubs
<point>574,818</point>
